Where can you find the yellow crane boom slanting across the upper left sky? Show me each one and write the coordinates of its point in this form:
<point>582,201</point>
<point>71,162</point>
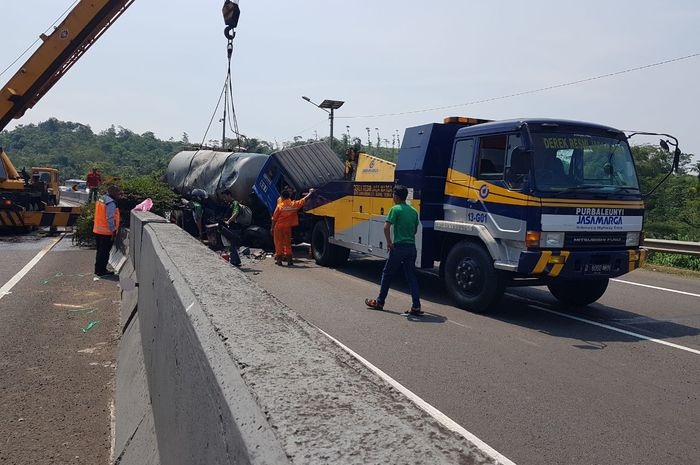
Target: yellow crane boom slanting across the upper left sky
<point>59,51</point>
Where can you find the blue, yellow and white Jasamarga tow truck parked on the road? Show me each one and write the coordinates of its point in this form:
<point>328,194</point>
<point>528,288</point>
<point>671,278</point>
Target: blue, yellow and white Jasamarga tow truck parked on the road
<point>524,202</point>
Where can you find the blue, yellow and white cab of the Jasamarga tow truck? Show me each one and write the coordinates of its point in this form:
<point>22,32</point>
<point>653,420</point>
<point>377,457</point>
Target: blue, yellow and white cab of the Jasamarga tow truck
<point>533,202</point>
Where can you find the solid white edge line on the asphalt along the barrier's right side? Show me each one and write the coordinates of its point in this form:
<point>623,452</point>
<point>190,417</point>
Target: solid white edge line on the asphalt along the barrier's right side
<point>446,421</point>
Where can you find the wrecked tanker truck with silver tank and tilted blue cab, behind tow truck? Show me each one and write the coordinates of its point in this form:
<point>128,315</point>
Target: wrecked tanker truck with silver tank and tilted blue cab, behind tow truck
<point>255,180</point>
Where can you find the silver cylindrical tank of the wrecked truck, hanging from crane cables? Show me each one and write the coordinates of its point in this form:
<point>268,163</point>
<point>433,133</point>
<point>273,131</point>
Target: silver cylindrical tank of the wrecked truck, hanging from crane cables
<point>215,172</point>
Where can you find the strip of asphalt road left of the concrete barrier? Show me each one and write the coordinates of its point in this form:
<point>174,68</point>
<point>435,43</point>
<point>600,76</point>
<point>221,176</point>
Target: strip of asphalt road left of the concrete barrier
<point>56,368</point>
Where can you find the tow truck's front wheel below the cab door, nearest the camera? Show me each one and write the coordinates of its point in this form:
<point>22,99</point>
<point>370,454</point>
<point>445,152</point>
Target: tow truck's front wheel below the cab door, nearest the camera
<point>471,278</point>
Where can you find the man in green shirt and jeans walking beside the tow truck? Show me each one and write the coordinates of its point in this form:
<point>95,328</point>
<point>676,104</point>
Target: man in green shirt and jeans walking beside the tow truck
<point>402,250</point>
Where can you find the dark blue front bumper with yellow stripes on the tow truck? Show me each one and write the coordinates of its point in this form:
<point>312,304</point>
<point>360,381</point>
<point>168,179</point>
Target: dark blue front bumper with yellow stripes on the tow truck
<point>568,264</point>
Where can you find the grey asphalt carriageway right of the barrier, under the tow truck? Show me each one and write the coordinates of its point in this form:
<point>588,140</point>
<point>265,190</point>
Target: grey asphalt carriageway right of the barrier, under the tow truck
<point>540,383</point>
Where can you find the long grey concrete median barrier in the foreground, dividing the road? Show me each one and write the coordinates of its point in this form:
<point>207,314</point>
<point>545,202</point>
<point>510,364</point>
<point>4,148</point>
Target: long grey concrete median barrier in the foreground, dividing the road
<point>214,370</point>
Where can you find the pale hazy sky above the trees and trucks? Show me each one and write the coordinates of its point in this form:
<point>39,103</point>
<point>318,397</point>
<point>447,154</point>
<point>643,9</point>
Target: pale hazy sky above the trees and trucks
<point>162,65</point>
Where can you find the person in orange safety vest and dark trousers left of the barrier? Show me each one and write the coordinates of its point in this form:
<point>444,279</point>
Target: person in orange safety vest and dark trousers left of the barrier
<point>105,228</point>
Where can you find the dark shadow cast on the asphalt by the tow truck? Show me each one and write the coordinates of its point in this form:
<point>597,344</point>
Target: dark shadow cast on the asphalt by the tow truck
<point>516,309</point>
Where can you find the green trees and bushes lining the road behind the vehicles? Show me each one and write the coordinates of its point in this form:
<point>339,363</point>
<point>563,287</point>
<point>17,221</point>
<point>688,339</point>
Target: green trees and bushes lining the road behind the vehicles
<point>137,161</point>
